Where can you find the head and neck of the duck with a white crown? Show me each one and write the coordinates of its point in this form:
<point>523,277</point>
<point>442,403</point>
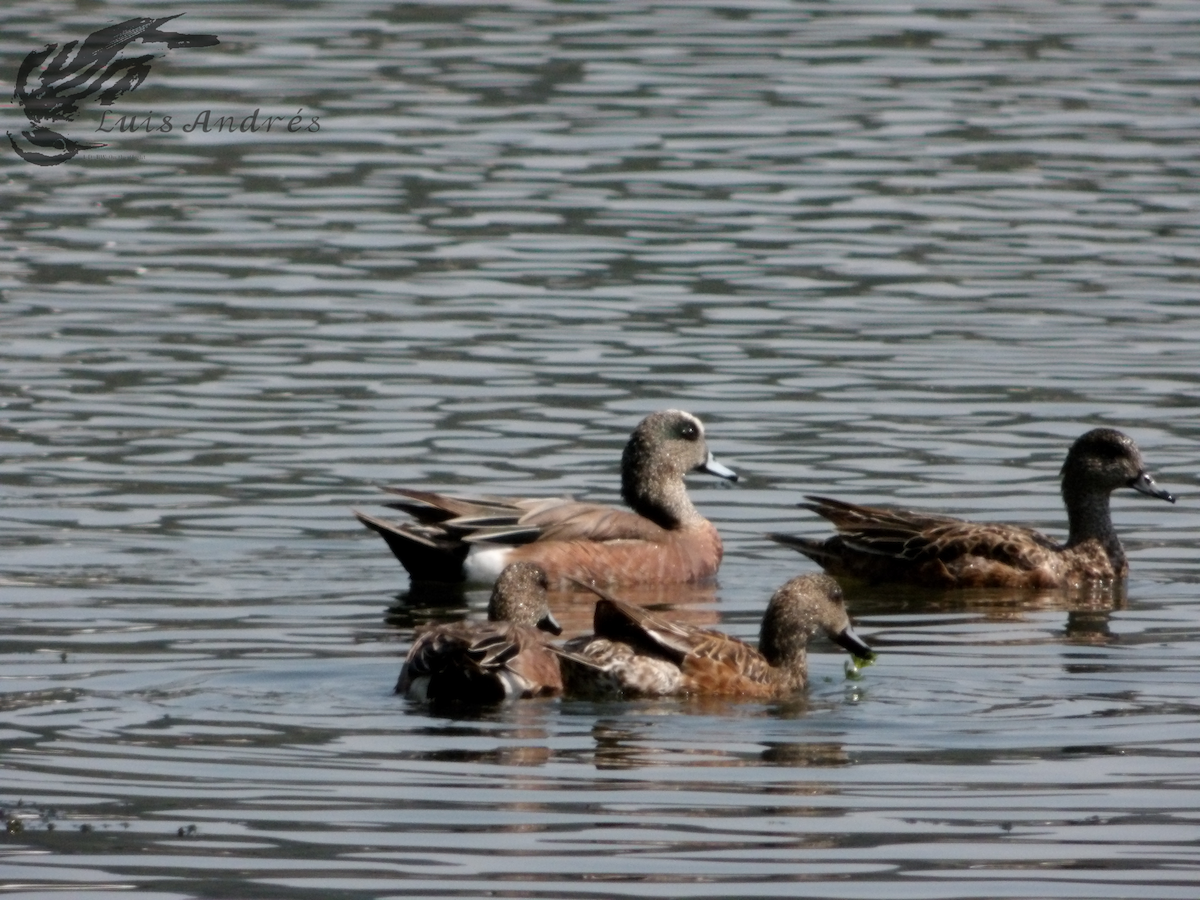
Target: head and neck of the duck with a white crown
<point>663,449</point>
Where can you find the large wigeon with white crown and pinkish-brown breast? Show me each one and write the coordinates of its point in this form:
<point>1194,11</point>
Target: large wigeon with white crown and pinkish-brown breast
<point>663,538</point>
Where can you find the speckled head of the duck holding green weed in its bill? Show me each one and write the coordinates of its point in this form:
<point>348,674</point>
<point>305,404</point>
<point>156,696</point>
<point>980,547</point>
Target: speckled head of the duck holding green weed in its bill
<point>802,609</point>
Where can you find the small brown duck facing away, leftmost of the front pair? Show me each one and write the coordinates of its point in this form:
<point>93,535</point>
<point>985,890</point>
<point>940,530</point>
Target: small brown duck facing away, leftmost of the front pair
<point>505,658</point>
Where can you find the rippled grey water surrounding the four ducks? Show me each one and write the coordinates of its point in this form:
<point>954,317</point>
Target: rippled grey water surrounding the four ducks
<point>887,254</point>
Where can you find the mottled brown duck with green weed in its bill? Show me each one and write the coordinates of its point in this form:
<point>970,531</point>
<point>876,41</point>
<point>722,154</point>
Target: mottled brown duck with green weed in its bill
<point>635,653</point>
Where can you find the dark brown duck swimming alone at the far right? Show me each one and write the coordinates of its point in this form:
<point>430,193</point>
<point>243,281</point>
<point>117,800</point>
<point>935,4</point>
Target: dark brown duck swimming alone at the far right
<point>897,545</point>
